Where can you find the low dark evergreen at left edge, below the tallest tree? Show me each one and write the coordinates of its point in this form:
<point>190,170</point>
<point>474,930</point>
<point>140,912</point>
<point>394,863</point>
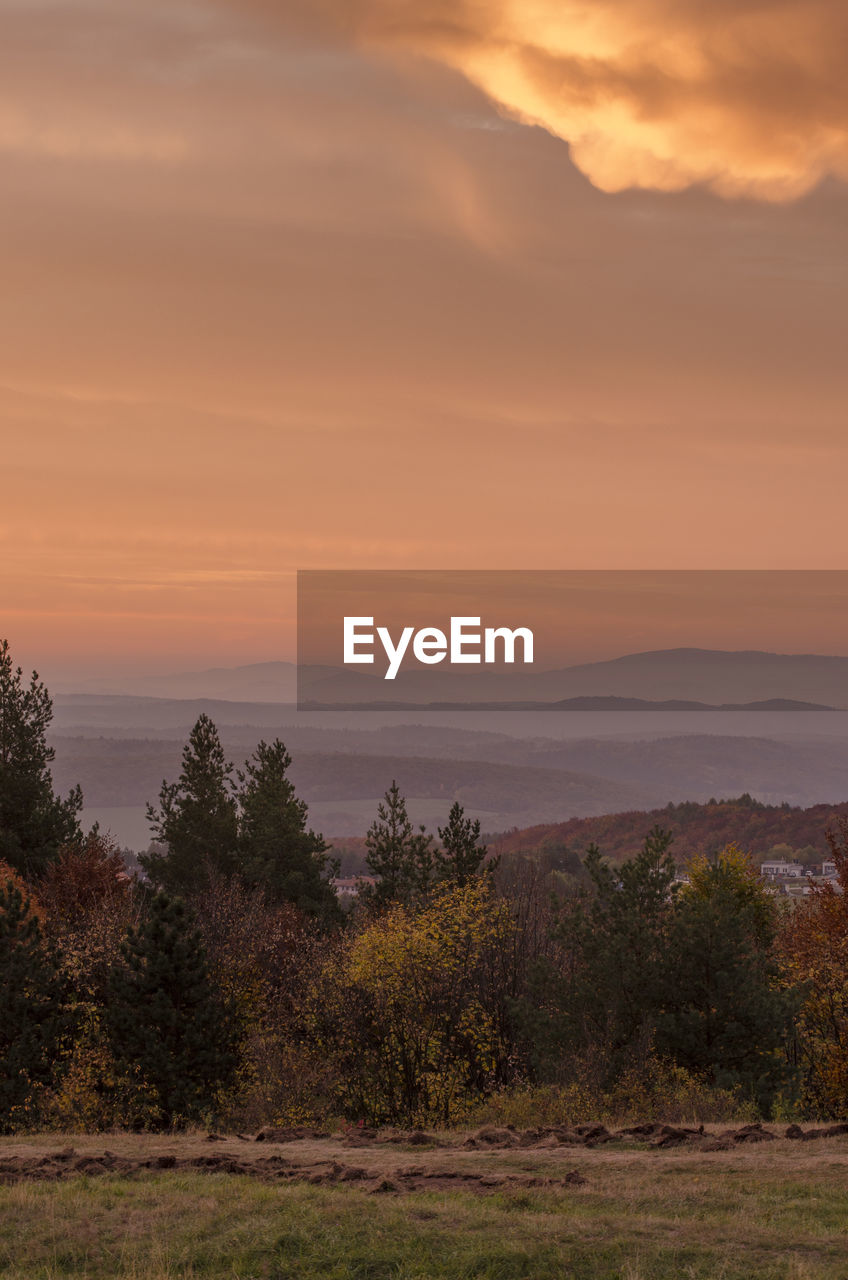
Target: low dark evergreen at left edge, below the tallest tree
<point>30,1005</point>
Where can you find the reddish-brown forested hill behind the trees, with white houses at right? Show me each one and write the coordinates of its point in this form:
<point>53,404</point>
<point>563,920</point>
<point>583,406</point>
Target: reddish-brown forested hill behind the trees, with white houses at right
<point>696,829</point>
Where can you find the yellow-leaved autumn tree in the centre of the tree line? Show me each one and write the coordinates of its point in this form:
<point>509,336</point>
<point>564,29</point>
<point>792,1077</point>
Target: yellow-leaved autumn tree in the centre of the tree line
<point>405,1012</point>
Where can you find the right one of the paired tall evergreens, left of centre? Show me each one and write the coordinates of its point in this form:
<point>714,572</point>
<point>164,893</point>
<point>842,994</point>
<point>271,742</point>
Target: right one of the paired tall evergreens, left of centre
<point>279,852</point>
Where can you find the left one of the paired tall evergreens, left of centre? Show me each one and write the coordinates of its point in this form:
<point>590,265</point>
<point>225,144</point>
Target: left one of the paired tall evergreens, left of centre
<point>197,820</point>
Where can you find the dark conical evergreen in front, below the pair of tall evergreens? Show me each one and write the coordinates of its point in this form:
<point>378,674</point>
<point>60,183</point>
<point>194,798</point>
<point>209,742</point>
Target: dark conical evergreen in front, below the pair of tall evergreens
<point>167,1025</point>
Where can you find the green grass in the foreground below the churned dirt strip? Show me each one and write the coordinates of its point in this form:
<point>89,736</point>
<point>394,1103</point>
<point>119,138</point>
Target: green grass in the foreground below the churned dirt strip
<point>632,1222</point>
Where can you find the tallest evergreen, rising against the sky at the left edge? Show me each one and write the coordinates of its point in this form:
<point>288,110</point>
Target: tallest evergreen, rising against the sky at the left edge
<point>34,822</point>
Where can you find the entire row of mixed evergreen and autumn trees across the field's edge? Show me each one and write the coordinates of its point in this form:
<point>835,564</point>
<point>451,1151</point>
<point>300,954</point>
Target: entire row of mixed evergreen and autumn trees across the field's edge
<point>226,986</point>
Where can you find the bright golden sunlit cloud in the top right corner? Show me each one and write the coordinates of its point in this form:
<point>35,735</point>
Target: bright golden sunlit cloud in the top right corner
<point>746,97</point>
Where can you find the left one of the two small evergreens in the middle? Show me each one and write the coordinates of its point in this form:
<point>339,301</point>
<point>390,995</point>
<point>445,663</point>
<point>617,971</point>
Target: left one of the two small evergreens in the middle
<point>400,857</point>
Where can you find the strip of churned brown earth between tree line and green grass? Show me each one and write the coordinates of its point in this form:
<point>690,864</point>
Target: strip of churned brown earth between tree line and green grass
<point>489,1159</point>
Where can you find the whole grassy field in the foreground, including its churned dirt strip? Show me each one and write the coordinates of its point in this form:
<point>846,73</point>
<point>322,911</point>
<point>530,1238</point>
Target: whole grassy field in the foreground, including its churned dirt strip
<point>772,1210</point>
